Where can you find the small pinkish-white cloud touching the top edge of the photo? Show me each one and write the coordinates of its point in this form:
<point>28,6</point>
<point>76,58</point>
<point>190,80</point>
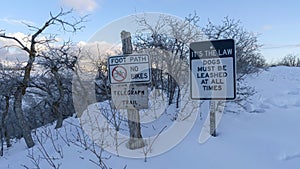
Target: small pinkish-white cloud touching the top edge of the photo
<point>82,6</point>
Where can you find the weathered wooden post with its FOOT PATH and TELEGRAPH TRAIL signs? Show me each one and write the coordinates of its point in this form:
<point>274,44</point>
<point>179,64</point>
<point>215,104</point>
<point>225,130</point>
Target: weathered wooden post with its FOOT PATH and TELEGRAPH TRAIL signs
<point>129,75</point>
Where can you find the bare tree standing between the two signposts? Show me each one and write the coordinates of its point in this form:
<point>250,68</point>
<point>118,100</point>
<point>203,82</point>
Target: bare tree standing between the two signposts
<point>168,40</point>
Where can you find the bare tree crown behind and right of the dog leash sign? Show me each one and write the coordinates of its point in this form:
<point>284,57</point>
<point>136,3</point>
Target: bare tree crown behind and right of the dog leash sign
<point>248,58</point>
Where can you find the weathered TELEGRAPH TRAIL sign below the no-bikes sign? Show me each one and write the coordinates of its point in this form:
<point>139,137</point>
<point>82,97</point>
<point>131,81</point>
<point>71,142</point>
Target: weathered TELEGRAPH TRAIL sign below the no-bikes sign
<point>129,96</point>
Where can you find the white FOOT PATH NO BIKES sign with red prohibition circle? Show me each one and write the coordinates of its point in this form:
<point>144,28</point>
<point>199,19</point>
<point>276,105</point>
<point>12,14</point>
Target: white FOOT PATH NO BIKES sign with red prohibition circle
<point>129,69</point>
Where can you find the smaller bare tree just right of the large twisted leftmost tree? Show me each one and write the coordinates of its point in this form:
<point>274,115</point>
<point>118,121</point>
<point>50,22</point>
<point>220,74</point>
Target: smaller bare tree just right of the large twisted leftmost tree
<point>59,62</point>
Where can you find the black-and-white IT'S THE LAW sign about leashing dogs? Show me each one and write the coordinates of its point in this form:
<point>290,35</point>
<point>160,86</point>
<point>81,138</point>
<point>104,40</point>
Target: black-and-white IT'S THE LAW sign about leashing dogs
<point>212,70</point>
